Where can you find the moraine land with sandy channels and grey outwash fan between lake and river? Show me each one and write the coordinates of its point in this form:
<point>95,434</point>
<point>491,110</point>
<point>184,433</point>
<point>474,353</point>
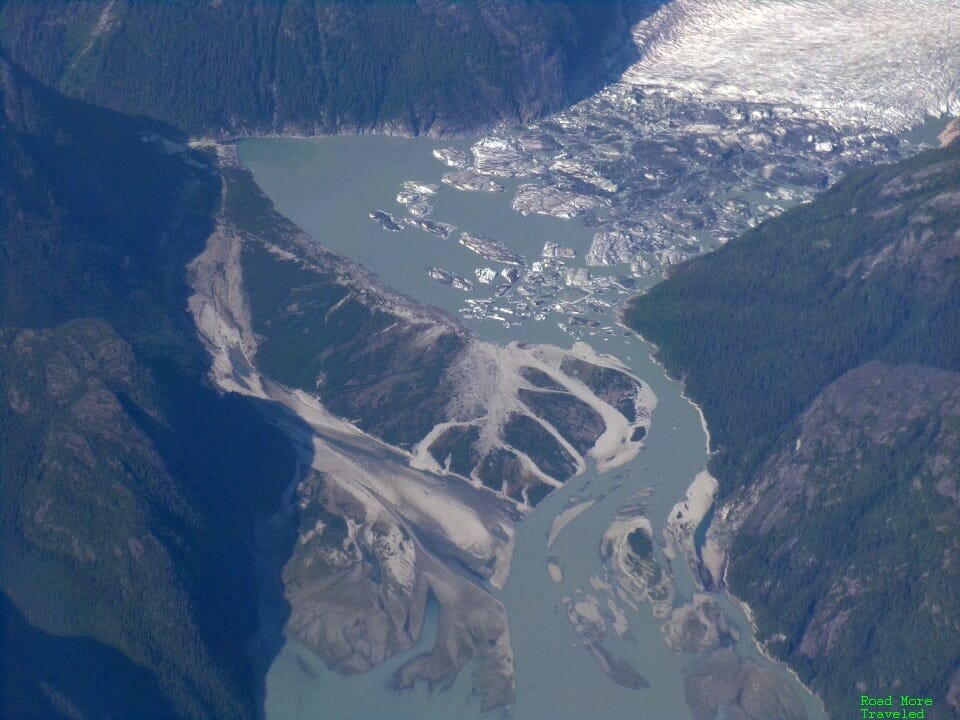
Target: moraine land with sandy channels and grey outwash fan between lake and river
<point>427,445</point>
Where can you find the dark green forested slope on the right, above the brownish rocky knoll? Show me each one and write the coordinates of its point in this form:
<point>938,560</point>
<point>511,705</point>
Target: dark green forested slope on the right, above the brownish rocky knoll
<point>758,328</point>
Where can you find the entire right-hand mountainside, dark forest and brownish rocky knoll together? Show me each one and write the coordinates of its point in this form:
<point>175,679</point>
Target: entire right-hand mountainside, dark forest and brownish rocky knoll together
<point>824,349</point>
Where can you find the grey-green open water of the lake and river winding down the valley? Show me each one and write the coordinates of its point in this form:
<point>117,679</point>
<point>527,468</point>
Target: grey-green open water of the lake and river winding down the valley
<point>328,186</point>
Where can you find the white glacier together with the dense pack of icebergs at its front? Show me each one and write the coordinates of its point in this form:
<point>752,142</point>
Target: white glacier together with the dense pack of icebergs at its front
<point>734,111</point>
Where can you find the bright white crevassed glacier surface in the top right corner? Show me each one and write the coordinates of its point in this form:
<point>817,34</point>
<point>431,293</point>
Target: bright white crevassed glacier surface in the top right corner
<point>880,63</point>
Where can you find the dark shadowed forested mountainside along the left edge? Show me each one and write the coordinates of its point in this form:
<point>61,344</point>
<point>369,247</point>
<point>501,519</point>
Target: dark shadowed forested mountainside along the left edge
<point>130,490</point>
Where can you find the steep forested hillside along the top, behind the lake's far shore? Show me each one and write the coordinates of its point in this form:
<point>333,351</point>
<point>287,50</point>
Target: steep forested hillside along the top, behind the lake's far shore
<point>316,66</point>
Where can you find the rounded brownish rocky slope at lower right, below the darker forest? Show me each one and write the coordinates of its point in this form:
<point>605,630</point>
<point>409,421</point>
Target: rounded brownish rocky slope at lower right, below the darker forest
<point>847,542</point>
